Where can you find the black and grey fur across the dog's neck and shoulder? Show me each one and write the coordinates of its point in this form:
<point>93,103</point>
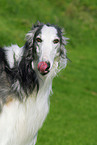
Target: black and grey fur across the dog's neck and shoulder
<point>22,72</point>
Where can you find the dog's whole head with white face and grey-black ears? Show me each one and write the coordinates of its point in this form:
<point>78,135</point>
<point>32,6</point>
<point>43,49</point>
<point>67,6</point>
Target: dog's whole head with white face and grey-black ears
<point>47,42</point>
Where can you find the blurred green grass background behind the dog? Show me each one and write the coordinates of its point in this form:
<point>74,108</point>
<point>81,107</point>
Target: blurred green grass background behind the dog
<point>73,111</point>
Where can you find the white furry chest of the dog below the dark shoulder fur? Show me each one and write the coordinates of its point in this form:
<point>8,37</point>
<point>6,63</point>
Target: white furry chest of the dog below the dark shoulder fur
<point>19,122</point>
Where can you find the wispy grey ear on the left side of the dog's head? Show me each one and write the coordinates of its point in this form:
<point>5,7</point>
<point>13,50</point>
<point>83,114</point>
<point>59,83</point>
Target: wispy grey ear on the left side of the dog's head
<point>30,34</point>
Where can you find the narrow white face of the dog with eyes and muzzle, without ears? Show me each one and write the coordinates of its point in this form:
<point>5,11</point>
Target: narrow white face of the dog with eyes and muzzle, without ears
<point>47,46</point>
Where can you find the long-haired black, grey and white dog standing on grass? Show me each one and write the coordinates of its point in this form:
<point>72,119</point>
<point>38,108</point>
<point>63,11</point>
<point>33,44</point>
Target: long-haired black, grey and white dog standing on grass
<point>26,75</point>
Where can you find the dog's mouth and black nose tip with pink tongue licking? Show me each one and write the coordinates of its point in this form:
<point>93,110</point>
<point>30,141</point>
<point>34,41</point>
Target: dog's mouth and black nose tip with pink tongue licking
<point>43,67</point>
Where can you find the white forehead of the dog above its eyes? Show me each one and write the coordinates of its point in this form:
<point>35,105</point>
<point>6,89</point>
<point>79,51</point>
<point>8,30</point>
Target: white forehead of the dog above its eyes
<point>48,32</point>
